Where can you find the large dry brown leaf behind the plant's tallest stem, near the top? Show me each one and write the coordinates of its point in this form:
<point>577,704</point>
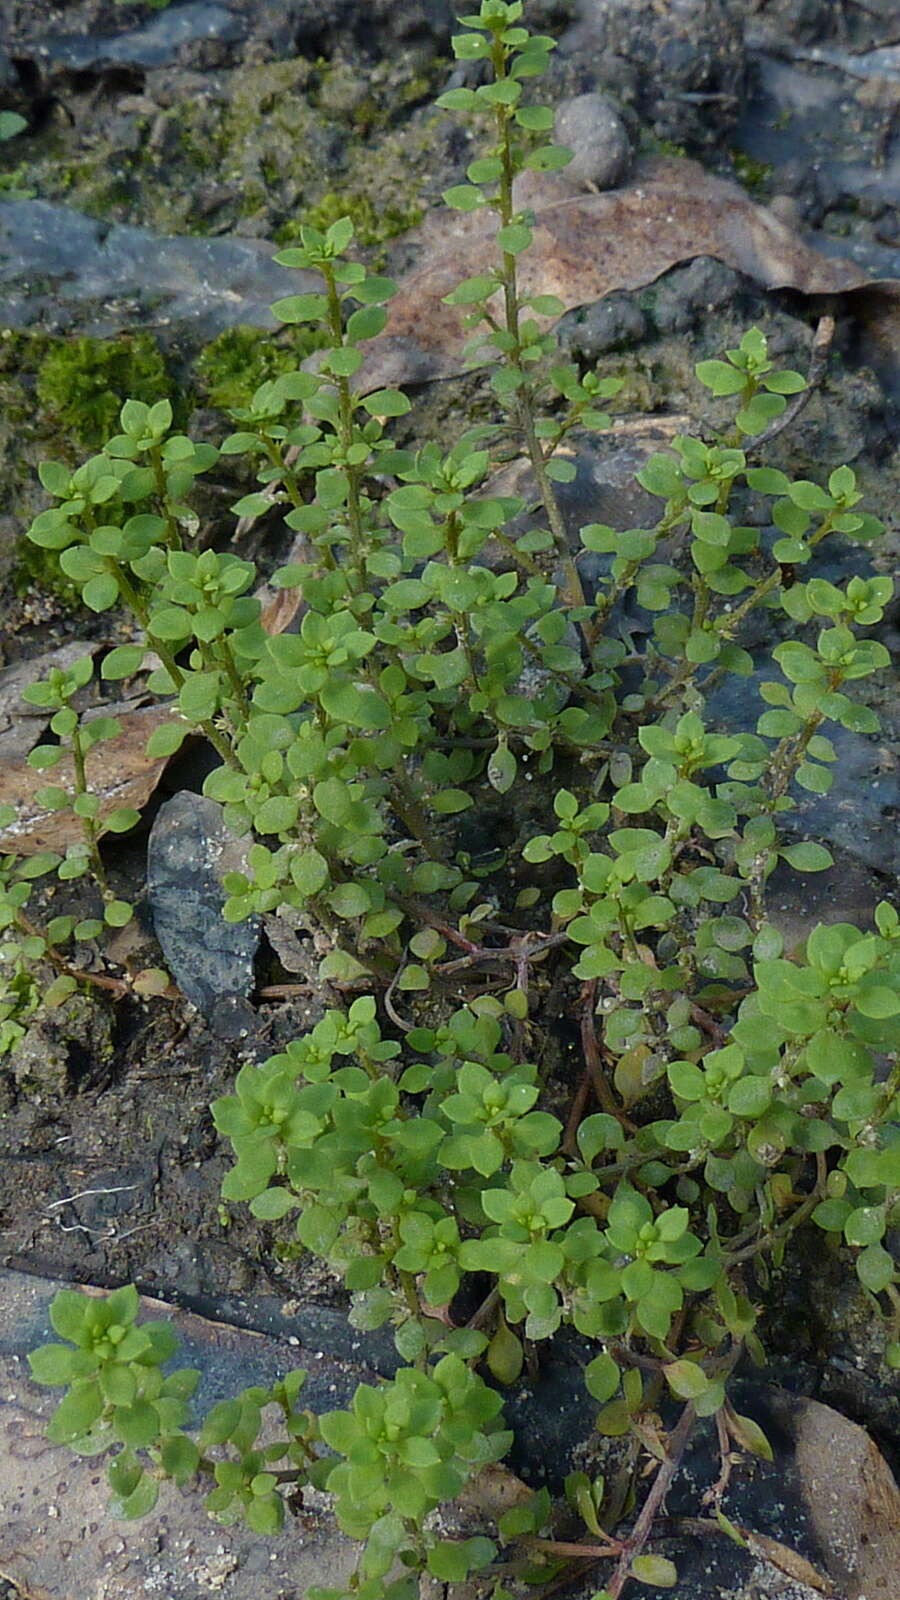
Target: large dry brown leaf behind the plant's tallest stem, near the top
<point>587,246</point>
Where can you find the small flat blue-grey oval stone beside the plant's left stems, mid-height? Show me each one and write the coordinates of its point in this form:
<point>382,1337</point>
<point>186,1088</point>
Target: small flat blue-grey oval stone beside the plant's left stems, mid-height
<point>188,855</point>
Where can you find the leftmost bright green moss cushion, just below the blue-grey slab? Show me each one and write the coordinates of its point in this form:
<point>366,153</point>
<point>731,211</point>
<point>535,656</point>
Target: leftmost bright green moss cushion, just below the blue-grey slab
<point>82,383</point>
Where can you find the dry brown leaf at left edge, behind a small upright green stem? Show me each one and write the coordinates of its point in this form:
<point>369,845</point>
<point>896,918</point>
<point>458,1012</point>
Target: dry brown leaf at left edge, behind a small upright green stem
<point>118,770</point>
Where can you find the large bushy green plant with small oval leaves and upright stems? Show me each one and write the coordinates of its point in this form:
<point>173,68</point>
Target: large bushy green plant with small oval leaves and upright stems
<point>742,1090</point>
